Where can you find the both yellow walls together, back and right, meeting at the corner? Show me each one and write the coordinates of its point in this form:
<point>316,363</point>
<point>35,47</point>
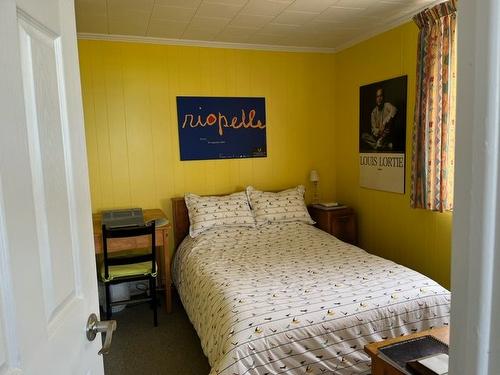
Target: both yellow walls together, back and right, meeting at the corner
<point>312,103</point>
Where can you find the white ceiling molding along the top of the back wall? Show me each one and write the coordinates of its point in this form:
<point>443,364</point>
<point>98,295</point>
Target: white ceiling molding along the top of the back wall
<point>201,43</point>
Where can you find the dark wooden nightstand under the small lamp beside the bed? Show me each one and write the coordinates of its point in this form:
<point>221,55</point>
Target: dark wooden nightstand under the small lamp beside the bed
<point>340,222</point>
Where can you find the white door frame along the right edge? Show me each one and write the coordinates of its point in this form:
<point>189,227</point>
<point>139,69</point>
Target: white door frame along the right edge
<point>475,311</point>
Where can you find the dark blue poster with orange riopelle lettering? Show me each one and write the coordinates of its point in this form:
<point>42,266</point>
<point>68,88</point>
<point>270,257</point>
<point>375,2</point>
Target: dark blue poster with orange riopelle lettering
<point>221,127</point>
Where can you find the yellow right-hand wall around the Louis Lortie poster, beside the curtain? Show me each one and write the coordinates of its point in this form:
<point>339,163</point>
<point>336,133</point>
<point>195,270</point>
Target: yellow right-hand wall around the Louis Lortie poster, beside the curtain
<point>387,225</point>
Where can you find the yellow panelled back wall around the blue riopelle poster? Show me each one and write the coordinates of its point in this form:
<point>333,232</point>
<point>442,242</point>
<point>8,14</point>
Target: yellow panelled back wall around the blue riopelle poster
<point>129,97</point>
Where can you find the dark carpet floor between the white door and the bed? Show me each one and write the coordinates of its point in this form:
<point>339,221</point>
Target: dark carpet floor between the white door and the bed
<point>139,348</point>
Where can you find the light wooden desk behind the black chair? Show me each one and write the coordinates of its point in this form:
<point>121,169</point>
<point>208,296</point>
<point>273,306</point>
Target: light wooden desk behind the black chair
<point>163,256</point>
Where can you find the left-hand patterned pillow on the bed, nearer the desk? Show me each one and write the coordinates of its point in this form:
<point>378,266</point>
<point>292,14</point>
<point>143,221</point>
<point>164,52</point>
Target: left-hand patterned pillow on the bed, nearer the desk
<point>225,211</point>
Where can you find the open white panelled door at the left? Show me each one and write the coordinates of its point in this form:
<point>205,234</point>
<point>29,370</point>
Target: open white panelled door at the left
<point>48,282</point>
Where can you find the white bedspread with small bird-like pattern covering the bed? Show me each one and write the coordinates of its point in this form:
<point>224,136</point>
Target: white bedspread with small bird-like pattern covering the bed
<point>291,299</point>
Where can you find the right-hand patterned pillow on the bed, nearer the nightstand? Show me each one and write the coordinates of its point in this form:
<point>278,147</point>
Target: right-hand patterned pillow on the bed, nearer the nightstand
<point>285,206</point>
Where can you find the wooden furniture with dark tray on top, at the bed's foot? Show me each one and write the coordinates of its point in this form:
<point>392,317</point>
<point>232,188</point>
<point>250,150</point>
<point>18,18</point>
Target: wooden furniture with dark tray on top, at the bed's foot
<point>380,367</point>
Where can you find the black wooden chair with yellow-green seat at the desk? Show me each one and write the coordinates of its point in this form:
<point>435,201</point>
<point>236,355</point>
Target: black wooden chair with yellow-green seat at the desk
<point>129,265</point>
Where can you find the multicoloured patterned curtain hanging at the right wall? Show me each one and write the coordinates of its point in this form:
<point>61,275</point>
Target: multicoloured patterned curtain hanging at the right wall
<point>434,128</point>
